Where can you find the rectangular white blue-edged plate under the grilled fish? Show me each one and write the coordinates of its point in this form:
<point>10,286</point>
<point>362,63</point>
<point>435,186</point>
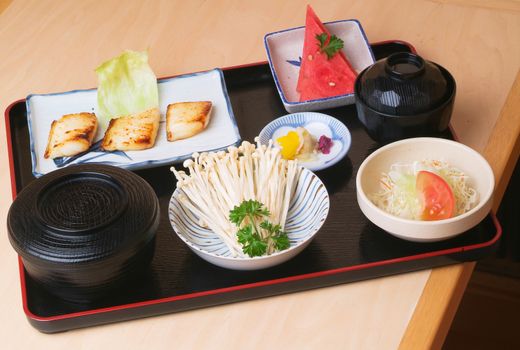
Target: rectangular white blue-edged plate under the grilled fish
<point>221,132</point>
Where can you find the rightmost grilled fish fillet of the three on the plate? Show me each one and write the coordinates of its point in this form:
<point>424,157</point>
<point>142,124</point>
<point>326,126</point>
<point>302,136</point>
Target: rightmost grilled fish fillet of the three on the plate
<point>185,119</point>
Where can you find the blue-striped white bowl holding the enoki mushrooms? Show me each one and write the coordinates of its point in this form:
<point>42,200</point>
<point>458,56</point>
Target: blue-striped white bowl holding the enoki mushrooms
<point>308,210</point>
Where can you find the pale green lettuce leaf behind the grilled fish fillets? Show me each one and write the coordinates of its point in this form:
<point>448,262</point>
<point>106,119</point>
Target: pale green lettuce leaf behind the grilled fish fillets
<point>126,86</point>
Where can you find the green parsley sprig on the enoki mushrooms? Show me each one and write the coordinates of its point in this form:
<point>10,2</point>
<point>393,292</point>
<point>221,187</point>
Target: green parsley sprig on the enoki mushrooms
<point>254,243</point>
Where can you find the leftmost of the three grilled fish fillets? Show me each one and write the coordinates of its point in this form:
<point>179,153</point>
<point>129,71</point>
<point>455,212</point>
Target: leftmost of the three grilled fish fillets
<point>71,134</point>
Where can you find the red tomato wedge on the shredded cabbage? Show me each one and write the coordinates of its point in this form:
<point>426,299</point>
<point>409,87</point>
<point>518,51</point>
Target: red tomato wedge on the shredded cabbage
<point>436,196</point>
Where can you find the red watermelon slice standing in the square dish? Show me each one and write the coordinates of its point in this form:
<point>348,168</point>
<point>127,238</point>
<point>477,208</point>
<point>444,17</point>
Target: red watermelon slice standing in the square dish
<point>319,75</point>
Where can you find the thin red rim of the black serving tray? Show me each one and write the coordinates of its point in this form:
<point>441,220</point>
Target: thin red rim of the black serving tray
<point>35,317</point>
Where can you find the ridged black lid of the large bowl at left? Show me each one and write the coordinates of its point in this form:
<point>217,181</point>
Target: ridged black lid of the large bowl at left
<point>82,214</point>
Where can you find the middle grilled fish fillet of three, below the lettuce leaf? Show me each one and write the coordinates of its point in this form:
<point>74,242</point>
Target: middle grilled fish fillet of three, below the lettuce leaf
<point>130,133</point>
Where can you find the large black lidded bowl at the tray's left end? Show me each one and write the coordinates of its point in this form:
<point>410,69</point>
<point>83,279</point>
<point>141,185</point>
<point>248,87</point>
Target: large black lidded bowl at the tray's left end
<point>84,231</point>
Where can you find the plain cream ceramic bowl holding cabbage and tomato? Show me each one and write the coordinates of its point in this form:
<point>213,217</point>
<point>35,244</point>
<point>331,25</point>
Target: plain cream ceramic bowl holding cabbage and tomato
<point>416,149</point>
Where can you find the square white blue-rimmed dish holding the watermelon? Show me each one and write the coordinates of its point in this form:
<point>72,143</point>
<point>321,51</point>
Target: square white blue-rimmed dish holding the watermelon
<point>284,49</point>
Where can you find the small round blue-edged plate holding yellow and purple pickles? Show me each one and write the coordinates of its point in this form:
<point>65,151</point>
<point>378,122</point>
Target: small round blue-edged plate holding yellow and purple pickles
<point>317,124</point>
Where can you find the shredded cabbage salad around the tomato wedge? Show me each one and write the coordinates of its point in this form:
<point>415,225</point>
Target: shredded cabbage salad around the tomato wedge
<point>398,196</point>
